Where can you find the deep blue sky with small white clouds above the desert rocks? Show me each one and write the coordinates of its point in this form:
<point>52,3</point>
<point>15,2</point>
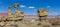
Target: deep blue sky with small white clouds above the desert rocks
<point>31,6</point>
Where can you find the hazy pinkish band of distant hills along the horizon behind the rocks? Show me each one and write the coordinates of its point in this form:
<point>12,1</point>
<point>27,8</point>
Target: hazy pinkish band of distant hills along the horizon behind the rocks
<point>27,16</point>
